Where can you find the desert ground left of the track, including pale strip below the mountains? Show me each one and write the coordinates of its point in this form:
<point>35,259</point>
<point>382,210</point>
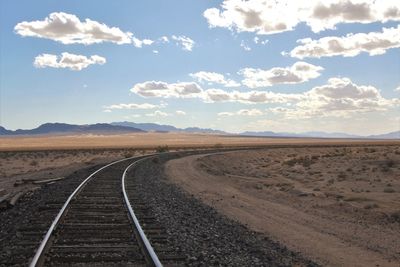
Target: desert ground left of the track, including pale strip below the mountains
<point>24,160</point>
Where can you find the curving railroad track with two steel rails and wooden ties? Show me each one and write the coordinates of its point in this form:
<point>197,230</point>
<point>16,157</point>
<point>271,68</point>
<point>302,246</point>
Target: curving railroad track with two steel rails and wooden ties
<point>97,226</point>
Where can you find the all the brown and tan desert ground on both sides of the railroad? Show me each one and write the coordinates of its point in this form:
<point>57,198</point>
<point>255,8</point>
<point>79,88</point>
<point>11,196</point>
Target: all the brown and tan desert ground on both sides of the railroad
<point>335,201</point>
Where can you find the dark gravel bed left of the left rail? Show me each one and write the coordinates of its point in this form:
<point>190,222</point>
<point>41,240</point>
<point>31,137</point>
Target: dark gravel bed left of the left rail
<point>22,228</point>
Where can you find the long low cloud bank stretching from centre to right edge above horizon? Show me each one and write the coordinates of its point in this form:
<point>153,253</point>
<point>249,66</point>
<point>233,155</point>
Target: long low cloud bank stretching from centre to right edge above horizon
<point>338,97</point>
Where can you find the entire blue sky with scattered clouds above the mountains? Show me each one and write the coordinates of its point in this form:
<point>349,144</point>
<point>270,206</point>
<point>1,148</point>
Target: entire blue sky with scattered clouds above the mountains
<point>232,65</point>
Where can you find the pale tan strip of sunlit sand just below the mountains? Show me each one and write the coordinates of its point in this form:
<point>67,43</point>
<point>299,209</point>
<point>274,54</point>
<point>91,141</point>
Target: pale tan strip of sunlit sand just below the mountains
<point>148,140</point>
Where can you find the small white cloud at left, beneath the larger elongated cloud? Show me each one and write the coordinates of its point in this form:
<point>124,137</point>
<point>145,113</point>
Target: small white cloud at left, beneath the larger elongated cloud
<point>67,60</point>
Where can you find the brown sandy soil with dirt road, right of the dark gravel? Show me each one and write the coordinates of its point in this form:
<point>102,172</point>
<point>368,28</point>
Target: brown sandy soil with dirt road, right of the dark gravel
<point>338,206</point>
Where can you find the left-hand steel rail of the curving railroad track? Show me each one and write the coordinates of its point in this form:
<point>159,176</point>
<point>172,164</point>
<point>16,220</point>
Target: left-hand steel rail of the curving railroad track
<point>45,241</point>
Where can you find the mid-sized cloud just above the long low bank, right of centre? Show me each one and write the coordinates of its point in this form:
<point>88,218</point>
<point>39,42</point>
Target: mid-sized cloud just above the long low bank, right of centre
<point>299,72</point>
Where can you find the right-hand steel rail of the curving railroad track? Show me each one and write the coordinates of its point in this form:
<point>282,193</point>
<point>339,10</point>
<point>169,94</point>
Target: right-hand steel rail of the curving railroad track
<point>147,246</point>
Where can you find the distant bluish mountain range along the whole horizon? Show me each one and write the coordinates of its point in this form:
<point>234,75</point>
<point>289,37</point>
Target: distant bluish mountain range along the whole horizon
<point>131,127</point>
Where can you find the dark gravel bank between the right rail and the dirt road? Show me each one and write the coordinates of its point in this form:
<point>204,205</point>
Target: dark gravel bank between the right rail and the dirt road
<point>204,236</point>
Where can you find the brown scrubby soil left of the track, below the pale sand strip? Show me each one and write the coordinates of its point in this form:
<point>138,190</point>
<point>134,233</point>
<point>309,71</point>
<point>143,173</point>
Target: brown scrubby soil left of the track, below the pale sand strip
<point>19,169</point>
